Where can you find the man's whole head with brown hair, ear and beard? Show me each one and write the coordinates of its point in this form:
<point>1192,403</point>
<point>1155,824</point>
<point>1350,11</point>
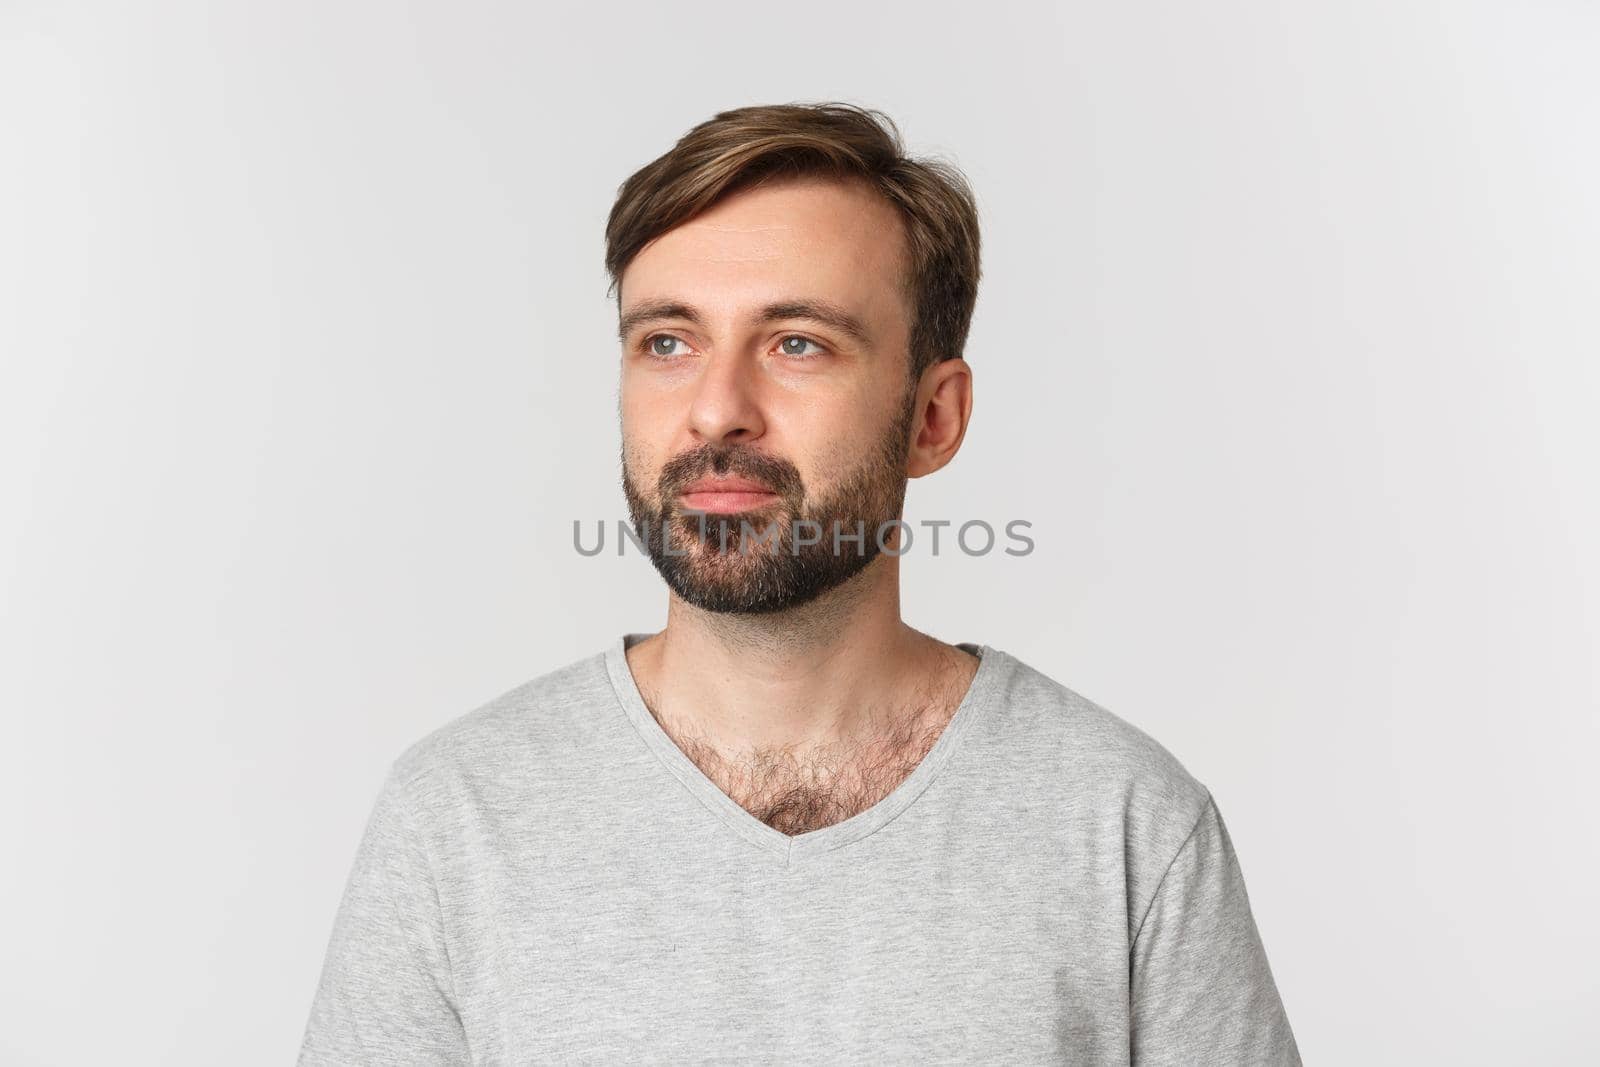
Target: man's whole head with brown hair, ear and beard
<point>794,297</point>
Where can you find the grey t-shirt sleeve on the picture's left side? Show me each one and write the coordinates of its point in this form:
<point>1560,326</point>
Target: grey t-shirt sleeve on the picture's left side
<point>386,993</point>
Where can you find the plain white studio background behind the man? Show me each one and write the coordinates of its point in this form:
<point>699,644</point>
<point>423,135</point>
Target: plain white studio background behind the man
<point>1286,346</point>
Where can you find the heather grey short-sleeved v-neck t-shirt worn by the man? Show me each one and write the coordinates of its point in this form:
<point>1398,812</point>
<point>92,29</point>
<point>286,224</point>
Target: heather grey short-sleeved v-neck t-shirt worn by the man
<point>551,879</point>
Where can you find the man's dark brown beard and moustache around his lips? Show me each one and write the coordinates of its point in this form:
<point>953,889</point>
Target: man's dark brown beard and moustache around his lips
<point>751,562</point>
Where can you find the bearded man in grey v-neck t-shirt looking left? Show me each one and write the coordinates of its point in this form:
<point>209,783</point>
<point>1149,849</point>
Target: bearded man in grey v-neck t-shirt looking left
<point>788,826</point>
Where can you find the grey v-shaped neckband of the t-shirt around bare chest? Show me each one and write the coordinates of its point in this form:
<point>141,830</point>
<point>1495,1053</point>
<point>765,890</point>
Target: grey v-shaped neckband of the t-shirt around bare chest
<point>980,695</point>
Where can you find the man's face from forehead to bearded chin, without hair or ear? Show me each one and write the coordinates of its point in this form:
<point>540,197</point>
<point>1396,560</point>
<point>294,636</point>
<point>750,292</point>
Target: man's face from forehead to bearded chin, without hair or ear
<point>766,396</point>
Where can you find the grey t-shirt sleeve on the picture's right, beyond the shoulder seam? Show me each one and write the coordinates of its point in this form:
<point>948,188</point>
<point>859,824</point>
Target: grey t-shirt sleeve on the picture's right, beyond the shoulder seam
<point>1202,989</point>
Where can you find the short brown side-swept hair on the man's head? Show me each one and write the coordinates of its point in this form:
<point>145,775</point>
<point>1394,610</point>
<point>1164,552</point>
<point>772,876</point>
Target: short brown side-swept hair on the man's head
<point>740,148</point>
